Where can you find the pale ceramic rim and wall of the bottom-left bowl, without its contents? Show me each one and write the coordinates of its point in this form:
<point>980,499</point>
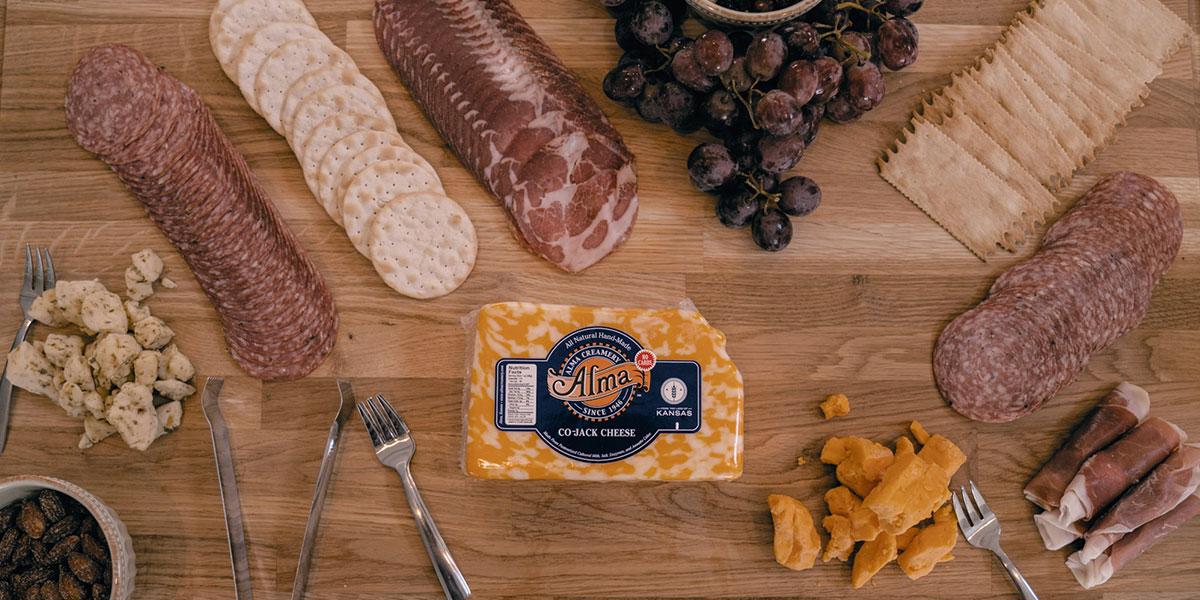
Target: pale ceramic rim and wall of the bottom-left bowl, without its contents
<point>121,547</point>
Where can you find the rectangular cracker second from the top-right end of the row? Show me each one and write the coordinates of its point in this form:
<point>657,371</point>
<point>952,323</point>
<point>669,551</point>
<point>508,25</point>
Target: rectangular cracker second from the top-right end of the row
<point>1109,49</point>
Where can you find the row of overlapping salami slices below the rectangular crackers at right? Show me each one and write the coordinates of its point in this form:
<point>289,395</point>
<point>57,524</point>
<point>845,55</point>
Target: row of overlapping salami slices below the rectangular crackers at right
<point>1088,285</point>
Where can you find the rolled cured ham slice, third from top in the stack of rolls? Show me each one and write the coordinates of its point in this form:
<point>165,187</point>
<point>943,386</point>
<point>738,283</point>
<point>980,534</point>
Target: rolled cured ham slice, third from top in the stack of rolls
<point>1172,483</point>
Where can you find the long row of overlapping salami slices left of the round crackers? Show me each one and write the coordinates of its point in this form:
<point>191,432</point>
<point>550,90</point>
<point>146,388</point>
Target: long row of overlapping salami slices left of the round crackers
<point>164,143</point>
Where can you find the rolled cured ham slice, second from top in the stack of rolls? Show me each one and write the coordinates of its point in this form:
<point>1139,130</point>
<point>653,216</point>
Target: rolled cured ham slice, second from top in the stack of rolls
<point>1109,473</point>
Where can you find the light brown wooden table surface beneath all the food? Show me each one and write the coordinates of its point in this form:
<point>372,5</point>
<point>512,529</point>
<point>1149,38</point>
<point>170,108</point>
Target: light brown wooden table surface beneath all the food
<point>854,307</point>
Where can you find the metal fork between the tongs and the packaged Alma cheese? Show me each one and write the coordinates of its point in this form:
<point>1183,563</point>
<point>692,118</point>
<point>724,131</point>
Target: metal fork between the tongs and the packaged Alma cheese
<point>395,447</point>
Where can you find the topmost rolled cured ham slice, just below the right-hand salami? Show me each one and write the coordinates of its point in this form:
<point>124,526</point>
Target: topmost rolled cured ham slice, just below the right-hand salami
<point>1123,410</point>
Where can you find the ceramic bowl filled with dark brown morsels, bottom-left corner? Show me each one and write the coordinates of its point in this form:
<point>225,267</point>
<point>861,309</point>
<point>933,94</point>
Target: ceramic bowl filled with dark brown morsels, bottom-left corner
<point>64,542</point>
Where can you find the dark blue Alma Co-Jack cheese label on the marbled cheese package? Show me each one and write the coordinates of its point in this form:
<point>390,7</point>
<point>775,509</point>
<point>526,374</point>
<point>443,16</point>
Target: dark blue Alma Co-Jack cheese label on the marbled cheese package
<point>599,397</point>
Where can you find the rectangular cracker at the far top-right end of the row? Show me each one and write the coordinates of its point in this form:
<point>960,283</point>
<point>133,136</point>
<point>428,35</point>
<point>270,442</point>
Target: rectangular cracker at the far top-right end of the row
<point>1147,25</point>
